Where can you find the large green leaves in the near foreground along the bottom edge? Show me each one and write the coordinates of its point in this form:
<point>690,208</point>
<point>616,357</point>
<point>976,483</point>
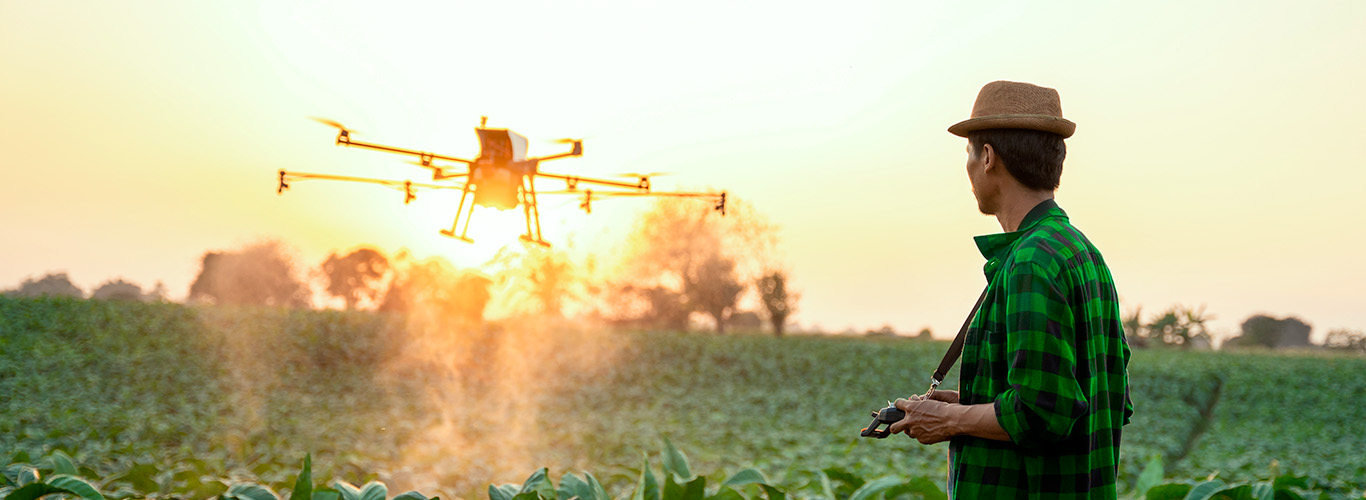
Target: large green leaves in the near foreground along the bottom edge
<point>59,477</point>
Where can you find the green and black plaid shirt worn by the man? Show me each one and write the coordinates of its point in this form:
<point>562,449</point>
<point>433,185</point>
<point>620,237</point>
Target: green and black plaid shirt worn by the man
<point>1047,349</point>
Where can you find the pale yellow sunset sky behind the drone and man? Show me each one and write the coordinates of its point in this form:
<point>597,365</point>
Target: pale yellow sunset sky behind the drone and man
<point>1214,163</point>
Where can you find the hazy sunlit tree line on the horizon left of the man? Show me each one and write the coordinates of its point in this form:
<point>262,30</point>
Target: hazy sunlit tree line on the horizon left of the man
<point>680,268</point>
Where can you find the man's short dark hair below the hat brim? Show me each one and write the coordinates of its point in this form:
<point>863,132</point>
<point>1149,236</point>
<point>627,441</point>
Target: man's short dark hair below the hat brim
<point>1032,156</point>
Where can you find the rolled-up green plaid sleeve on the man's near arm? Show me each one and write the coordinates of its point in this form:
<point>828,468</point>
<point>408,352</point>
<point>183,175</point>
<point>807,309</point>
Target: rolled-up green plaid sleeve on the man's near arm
<point>1044,400</point>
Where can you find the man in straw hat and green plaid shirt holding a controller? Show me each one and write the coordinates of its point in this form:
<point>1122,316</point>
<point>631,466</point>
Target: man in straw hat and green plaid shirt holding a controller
<point>1044,385</point>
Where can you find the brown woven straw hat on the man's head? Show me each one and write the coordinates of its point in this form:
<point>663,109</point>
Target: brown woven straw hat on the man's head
<point>1017,106</point>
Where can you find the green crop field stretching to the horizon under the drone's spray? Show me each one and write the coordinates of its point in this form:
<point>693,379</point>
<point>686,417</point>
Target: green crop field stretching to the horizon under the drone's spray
<point>170,401</point>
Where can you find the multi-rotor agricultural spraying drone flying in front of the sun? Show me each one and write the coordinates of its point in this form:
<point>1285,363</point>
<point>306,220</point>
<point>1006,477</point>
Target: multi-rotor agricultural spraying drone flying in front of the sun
<point>502,178</point>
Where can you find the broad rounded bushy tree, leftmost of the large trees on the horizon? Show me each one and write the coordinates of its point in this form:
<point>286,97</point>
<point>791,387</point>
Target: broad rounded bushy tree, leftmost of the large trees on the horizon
<point>262,274</point>
